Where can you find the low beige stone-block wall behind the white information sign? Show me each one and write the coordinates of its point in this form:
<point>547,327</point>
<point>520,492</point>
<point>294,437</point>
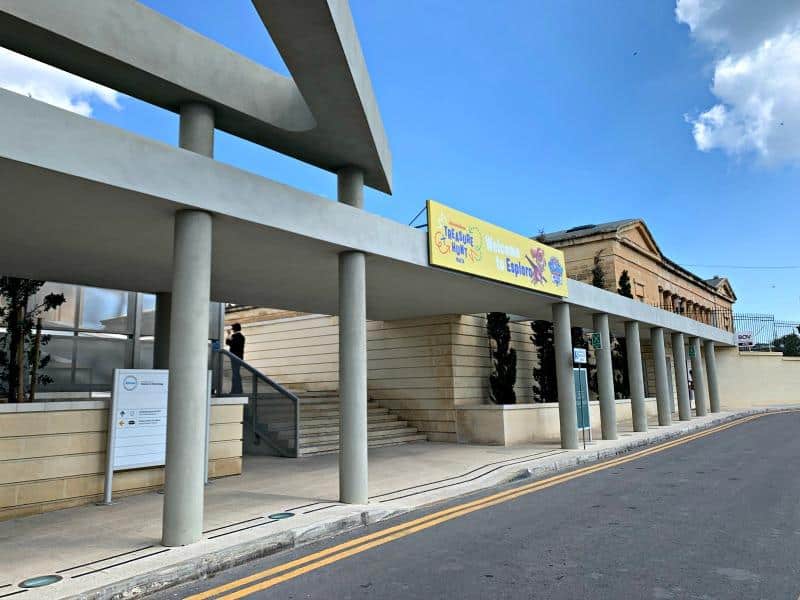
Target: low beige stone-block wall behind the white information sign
<point>52,455</point>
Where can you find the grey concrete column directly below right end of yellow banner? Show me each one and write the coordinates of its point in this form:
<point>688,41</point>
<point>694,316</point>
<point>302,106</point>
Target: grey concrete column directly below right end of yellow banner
<point>567,409</point>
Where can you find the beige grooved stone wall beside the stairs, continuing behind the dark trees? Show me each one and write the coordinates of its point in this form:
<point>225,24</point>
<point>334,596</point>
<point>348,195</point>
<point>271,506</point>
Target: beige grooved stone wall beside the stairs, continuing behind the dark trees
<point>421,369</point>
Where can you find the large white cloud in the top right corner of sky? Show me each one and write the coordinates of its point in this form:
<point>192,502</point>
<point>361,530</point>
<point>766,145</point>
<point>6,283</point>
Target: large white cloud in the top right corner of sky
<point>756,78</point>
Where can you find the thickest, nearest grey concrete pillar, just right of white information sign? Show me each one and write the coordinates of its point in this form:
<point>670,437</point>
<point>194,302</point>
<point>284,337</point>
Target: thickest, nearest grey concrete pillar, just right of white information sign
<point>188,352</point>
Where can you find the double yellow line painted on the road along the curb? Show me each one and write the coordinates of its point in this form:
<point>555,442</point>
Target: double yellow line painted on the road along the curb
<point>276,575</point>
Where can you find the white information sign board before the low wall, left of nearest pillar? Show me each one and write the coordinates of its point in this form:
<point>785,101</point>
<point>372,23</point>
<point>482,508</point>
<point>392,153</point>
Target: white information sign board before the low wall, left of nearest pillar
<point>139,402</point>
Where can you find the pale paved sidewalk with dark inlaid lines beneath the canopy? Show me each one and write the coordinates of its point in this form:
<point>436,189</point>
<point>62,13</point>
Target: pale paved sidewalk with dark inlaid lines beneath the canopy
<point>102,551</point>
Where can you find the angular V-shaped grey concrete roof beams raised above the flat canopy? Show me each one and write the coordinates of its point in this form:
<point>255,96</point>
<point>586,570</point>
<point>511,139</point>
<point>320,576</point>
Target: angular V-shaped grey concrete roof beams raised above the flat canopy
<point>326,114</point>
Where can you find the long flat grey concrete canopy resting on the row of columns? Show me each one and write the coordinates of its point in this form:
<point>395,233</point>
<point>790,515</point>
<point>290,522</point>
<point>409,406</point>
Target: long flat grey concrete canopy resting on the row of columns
<point>87,203</point>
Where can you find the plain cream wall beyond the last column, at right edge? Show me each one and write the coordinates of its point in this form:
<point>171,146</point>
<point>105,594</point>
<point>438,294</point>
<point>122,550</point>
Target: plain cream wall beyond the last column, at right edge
<point>757,378</point>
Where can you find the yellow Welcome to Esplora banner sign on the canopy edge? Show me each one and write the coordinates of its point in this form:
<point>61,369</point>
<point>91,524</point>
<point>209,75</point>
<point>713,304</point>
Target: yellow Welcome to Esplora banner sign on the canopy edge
<point>463,243</point>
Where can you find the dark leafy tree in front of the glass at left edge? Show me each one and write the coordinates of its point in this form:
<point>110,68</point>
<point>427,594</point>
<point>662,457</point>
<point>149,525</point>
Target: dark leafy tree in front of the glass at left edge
<point>18,350</point>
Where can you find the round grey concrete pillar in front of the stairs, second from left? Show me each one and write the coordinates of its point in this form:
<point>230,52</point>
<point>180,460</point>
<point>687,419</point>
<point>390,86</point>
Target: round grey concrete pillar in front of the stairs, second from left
<point>353,455</point>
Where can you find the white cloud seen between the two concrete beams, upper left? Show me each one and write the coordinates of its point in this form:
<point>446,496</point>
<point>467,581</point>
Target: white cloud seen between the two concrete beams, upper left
<point>26,76</point>
